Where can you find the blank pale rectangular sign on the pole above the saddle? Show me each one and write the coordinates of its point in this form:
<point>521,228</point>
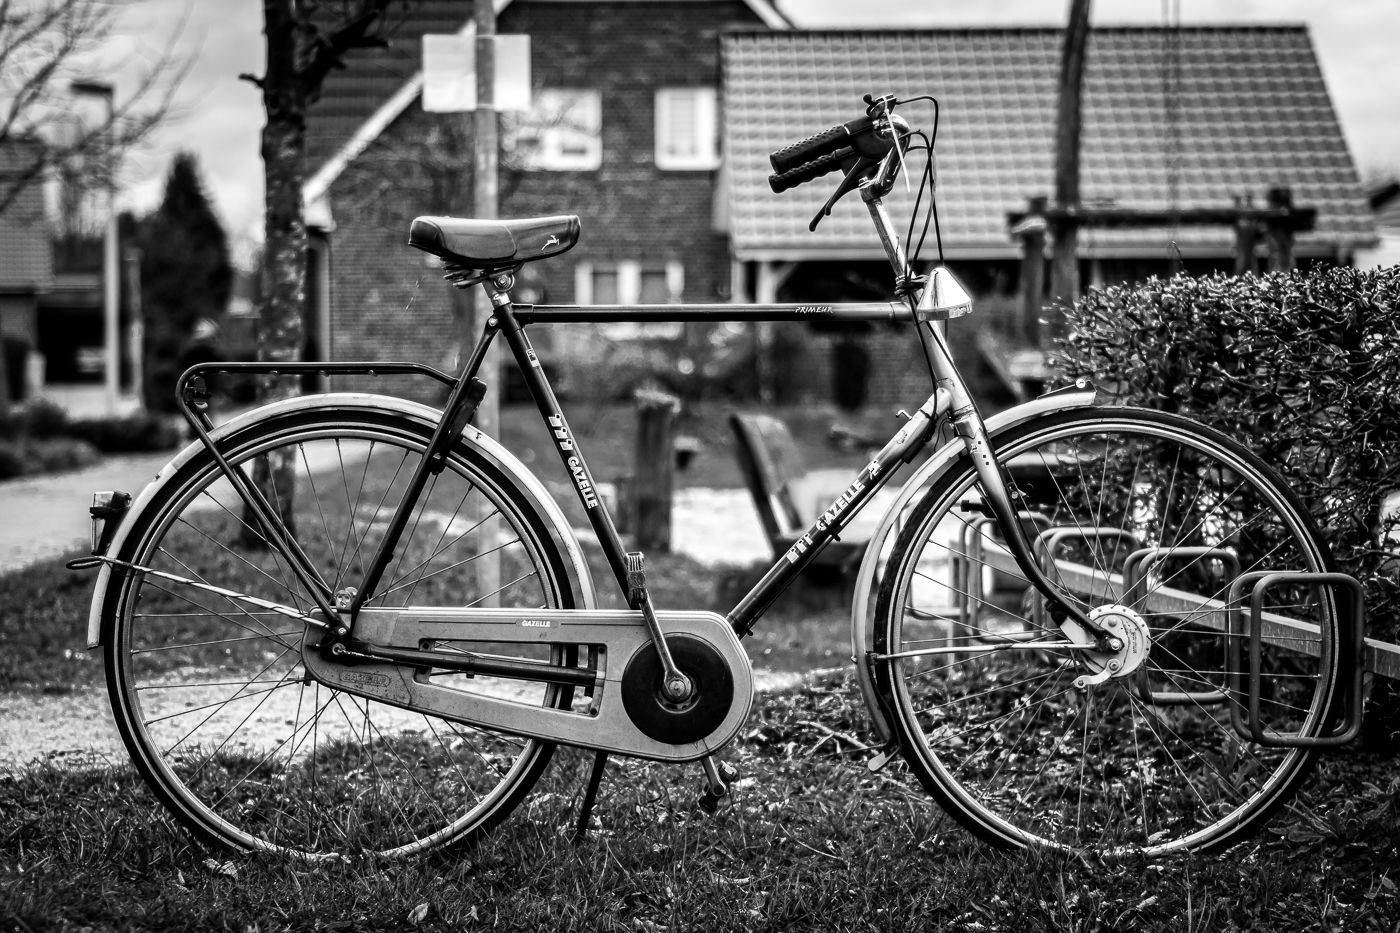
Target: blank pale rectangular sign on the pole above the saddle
<point>450,74</point>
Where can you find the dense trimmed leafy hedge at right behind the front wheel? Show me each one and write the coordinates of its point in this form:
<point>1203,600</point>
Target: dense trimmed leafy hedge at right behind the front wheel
<point>1303,368</point>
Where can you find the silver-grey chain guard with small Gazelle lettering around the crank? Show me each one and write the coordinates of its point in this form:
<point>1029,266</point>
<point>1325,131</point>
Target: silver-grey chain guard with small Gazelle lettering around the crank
<point>407,682</point>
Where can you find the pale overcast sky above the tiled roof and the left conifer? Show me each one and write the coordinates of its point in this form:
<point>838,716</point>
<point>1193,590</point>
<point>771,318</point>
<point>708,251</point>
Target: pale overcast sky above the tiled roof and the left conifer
<point>220,117</point>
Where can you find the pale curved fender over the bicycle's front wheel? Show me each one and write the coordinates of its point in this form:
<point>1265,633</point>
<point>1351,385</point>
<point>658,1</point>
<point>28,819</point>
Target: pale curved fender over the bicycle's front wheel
<point>869,579</point>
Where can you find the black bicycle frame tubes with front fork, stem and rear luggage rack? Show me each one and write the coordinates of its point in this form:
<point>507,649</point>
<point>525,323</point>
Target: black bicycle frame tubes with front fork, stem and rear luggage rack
<point>950,401</point>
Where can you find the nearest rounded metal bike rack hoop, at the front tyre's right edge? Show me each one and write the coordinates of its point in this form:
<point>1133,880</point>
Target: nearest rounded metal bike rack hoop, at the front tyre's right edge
<point>1353,623</point>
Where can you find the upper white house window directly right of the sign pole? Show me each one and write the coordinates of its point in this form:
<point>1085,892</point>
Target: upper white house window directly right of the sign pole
<point>561,134</point>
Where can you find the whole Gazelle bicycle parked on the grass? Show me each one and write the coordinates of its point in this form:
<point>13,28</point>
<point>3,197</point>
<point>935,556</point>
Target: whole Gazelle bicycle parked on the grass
<point>1081,627</point>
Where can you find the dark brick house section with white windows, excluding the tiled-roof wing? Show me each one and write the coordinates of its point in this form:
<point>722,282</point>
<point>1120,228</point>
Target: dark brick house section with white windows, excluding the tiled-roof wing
<point>628,141</point>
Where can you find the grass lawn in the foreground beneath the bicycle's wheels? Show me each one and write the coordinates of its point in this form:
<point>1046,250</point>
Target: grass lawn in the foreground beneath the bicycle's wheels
<point>811,841</point>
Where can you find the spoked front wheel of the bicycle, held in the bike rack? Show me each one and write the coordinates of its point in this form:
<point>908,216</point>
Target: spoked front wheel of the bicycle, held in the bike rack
<point>1030,743</point>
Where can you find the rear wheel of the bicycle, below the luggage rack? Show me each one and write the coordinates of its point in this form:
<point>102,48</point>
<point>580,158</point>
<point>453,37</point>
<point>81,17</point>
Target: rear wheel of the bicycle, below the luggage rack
<point>211,694</point>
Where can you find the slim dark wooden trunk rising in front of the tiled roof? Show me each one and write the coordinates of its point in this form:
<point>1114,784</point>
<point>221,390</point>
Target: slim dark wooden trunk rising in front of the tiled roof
<point>1065,265</point>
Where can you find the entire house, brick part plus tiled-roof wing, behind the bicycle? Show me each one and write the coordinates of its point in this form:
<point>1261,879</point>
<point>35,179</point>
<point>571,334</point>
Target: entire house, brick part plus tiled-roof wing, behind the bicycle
<point>1184,118</point>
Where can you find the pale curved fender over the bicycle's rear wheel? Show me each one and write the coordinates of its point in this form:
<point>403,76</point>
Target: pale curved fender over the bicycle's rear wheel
<point>526,484</point>
